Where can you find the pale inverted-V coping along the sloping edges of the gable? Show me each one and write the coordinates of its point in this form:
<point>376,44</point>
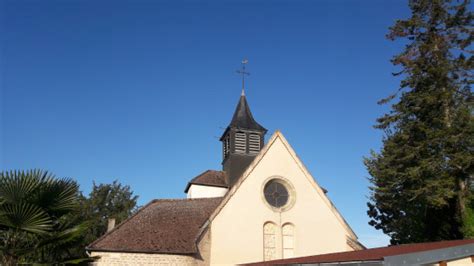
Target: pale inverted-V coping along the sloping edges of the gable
<point>256,161</point>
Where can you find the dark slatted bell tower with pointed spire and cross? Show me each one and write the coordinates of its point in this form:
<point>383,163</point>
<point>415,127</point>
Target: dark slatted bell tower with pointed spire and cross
<point>243,138</point>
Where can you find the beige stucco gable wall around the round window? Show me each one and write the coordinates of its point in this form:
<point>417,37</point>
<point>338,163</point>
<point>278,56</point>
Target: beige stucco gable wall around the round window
<point>237,230</point>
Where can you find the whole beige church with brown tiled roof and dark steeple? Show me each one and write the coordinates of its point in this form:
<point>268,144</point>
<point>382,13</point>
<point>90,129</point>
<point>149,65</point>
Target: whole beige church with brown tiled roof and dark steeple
<point>263,205</point>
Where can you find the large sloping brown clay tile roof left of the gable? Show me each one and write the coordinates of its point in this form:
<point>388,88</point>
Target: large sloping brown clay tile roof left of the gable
<point>162,226</point>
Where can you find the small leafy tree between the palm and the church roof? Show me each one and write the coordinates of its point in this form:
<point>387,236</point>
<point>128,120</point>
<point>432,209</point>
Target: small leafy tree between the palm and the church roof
<point>106,201</point>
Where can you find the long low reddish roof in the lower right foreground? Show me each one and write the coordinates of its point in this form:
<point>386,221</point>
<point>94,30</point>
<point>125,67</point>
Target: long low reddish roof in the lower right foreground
<point>373,254</point>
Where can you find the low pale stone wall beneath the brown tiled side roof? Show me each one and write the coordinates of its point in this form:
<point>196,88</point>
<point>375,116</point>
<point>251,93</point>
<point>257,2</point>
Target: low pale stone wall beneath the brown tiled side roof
<point>123,259</point>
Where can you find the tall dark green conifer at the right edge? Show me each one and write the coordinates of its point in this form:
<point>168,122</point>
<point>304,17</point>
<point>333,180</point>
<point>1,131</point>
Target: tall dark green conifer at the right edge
<point>420,179</point>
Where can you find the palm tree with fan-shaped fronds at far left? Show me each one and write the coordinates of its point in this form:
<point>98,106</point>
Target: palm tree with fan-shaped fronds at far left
<point>35,211</point>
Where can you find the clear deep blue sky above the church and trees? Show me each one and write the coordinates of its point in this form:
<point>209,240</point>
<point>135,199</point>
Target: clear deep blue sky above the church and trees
<point>140,91</point>
